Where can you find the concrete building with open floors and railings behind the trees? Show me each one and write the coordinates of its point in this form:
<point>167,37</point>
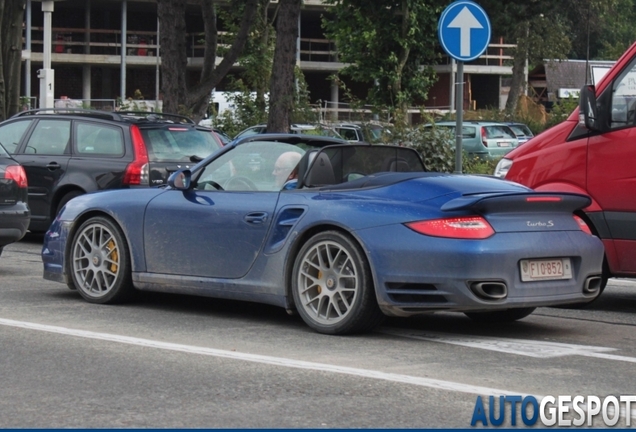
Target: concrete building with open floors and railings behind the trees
<point>106,50</point>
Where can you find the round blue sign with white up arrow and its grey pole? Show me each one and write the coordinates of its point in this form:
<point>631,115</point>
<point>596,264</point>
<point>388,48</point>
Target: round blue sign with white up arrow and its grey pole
<point>464,33</point>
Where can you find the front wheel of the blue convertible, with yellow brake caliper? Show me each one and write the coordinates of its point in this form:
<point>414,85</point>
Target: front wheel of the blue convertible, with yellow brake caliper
<point>99,262</point>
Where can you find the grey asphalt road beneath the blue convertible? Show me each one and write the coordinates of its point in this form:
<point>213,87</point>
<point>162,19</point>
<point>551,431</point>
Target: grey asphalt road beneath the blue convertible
<point>168,361</point>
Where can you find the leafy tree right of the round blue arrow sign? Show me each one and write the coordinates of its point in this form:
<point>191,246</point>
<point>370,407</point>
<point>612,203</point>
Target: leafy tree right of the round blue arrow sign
<point>545,29</point>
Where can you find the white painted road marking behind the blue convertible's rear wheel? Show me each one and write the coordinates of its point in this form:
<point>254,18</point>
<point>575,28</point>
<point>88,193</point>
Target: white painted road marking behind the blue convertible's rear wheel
<point>525,347</point>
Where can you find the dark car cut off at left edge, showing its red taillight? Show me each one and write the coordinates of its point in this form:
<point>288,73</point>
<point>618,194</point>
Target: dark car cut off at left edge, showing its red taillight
<point>14,211</point>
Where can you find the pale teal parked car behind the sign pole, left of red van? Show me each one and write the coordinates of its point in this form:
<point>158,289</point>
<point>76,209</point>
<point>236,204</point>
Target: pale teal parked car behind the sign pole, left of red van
<point>486,140</point>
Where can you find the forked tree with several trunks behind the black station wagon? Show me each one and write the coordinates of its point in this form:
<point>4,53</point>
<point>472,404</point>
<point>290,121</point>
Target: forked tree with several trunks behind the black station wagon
<point>177,96</point>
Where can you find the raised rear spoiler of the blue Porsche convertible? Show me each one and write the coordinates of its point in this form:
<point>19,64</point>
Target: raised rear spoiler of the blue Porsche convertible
<point>530,202</point>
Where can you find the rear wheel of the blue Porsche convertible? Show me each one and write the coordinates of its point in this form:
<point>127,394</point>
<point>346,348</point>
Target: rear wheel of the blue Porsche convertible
<point>332,286</point>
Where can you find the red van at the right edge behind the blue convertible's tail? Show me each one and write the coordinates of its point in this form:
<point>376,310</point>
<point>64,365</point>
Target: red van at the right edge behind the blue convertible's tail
<point>592,152</point>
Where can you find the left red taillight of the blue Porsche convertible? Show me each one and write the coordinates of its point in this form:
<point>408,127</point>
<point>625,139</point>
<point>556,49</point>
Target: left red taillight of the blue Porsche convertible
<point>467,227</point>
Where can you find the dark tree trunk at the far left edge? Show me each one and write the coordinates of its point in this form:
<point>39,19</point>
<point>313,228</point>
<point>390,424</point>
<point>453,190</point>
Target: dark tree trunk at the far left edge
<point>11,17</point>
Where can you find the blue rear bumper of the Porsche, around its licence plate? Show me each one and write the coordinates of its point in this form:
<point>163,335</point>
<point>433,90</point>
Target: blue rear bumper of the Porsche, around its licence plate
<point>412,278</point>
